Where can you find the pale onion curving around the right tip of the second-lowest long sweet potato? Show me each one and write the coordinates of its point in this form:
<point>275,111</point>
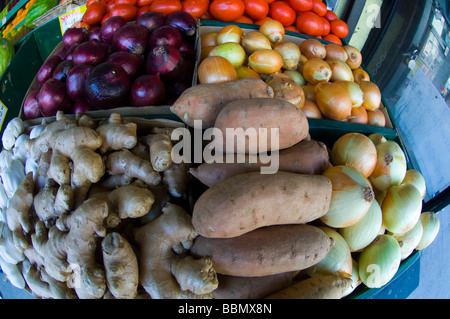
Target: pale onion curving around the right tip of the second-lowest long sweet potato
<point>337,261</point>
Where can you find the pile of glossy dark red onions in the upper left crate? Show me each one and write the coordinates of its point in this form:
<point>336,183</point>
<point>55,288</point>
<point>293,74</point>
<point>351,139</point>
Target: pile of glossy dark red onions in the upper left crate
<point>142,63</point>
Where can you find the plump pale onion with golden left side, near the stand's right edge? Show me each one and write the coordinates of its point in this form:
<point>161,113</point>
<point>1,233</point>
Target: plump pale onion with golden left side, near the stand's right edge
<point>401,208</point>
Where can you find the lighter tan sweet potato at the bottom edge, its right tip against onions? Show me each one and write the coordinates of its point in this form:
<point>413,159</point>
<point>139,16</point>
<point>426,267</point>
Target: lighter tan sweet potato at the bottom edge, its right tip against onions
<point>321,287</point>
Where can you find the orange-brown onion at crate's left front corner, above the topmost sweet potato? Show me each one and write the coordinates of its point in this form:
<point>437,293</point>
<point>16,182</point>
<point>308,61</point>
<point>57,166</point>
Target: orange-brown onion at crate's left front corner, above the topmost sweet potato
<point>216,69</point>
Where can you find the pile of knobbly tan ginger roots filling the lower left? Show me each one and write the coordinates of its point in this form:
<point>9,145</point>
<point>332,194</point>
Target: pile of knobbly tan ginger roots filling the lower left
<point>94,208</point>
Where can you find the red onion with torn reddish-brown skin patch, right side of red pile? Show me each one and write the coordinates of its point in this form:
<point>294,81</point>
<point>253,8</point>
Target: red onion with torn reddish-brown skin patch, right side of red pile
<point>162,59</point>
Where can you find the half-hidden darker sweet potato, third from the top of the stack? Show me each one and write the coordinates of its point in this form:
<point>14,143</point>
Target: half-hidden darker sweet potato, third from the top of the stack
<point>306,157</point>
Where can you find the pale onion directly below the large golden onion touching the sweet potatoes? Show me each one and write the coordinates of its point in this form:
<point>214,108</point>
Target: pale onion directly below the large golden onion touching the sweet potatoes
<point>361,234</point>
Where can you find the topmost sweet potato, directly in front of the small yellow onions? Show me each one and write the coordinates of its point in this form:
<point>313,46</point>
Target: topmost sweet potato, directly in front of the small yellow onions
<point>205,101</point>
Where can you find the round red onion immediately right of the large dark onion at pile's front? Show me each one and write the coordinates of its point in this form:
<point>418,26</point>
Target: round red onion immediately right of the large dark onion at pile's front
<point>147,90</point>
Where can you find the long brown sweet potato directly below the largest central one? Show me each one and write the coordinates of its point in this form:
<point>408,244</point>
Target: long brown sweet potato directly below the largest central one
<point>265,251</point>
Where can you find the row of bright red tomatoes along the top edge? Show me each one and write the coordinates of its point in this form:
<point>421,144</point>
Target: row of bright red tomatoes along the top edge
<point>309,17</point>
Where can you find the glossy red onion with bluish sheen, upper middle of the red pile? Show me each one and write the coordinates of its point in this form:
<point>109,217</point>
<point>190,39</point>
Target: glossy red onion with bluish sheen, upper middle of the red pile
<point>131,38</point>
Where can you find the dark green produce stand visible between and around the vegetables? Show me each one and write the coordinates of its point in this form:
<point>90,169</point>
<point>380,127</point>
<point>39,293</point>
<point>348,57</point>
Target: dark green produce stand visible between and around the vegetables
<point>39,44</point>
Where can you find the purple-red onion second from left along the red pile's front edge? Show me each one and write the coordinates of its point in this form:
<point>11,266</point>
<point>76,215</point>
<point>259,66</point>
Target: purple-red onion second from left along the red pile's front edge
<point>53,97</point>
